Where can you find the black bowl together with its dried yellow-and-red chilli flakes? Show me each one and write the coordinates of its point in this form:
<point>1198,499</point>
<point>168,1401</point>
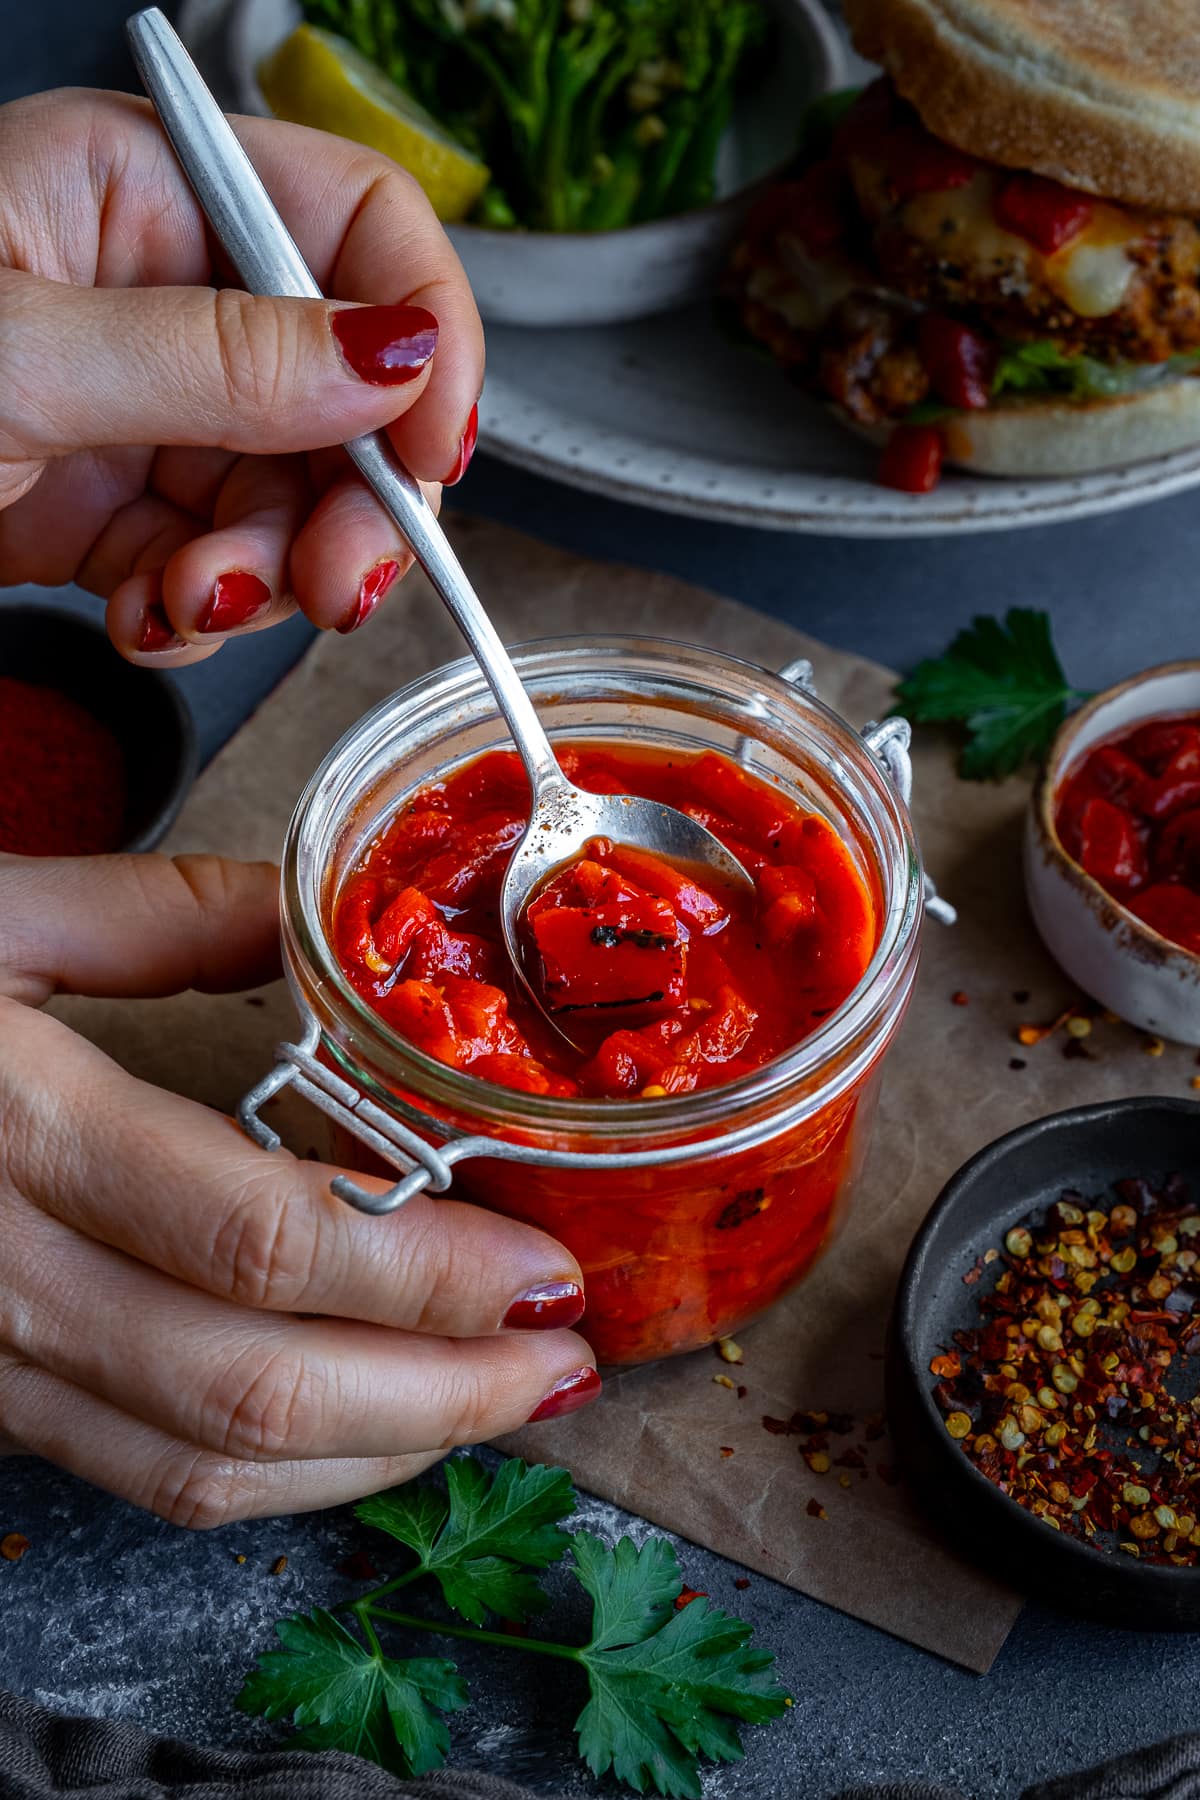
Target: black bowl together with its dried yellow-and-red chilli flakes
<point>1098,1457</point>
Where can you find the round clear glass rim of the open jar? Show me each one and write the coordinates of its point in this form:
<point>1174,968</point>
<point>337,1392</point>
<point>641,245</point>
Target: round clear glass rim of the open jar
<point>330,796</point>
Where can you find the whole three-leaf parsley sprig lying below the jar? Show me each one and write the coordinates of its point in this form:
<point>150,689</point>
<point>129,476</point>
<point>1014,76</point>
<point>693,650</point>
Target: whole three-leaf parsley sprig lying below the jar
<point>668,1686</point>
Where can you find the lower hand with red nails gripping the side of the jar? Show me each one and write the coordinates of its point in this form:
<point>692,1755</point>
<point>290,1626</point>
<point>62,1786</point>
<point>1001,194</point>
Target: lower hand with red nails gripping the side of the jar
<point>190,1322</point>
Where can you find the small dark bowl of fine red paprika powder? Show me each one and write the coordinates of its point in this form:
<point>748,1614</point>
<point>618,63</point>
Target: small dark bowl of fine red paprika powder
<point>96,755</point>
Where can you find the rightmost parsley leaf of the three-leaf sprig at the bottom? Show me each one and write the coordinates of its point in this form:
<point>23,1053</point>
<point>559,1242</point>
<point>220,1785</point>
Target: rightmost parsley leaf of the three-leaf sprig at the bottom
<point>667,1687</point>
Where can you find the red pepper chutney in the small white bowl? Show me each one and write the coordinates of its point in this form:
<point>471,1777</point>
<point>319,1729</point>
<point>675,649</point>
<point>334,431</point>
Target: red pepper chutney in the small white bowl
<point>1131,816</point>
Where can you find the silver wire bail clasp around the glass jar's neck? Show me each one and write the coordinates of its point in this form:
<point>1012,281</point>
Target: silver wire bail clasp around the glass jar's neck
<point>431,1167</point>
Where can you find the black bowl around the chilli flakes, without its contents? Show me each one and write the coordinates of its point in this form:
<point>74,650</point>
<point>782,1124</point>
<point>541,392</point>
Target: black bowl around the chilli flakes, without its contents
<point>1088,1149</point>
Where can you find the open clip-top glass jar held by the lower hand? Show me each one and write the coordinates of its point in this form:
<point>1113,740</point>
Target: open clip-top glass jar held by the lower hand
<point>690,1214</point>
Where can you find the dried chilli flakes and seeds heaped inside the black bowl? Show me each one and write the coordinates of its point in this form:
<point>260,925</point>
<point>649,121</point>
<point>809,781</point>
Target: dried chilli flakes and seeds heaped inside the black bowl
<point>1070,1389</point>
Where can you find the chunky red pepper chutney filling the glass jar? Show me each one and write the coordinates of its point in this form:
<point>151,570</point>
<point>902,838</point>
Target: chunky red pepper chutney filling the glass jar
<point>668,985</point>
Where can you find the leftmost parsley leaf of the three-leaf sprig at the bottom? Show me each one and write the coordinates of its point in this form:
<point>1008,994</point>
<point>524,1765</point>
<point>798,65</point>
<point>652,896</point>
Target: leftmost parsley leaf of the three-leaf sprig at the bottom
<point>346,1696</point>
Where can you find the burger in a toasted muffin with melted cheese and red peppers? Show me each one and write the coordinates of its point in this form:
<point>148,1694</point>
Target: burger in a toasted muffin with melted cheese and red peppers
<point>994,258</point>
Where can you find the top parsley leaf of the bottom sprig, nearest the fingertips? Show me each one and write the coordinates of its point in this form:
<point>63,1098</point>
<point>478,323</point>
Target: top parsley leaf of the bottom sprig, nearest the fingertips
<point>485,1534</point>
